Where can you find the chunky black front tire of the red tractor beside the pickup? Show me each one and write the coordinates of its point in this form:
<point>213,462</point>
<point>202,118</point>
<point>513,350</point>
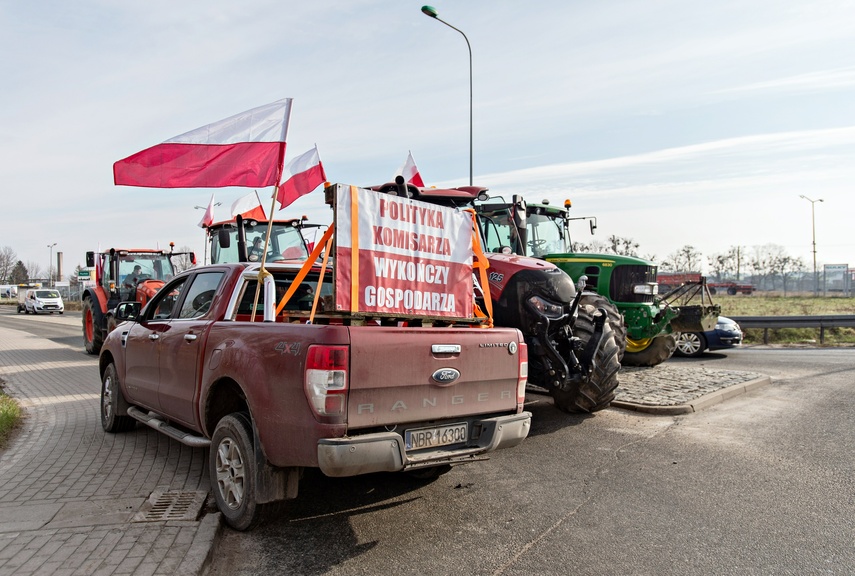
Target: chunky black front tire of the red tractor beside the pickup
<point>597,393</point>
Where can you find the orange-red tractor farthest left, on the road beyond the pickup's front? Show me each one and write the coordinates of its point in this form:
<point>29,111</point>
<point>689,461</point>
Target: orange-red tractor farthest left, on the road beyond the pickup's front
<point>122,275</point>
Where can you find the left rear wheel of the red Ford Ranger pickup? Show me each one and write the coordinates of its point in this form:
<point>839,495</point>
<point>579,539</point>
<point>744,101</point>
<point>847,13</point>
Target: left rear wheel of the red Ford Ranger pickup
<point>233,472</point>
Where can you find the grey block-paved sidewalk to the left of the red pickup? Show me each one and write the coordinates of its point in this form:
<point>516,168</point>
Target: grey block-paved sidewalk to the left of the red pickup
<point>74,499</point>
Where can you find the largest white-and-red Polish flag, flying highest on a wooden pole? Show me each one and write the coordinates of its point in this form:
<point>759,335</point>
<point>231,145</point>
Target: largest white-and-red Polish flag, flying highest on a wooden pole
<point>247,150</point>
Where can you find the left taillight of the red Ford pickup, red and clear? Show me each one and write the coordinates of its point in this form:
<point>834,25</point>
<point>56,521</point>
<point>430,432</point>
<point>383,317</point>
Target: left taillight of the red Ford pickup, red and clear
<point>326,381</point>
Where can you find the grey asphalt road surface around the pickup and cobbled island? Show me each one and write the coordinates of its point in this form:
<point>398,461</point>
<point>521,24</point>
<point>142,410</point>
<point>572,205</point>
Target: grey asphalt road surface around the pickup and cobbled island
<point>761,484</point>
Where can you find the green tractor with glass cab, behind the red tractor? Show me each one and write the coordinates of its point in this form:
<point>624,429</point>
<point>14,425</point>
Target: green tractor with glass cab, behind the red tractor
<point>643,321</point>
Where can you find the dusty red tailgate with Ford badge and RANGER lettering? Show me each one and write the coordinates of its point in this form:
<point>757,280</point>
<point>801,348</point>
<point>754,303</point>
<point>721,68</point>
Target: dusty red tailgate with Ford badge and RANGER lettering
<point>431,374</point>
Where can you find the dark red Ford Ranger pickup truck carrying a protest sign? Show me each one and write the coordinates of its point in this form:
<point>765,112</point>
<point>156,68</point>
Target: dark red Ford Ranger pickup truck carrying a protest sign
<point>208,364</point>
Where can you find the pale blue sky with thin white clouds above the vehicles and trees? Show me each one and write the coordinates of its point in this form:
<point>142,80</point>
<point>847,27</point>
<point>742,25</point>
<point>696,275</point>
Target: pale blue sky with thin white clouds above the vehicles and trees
<point>675,123</point>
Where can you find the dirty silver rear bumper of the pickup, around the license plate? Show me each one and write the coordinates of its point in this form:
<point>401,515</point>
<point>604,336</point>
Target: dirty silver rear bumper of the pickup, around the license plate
<point>386,452</point>
